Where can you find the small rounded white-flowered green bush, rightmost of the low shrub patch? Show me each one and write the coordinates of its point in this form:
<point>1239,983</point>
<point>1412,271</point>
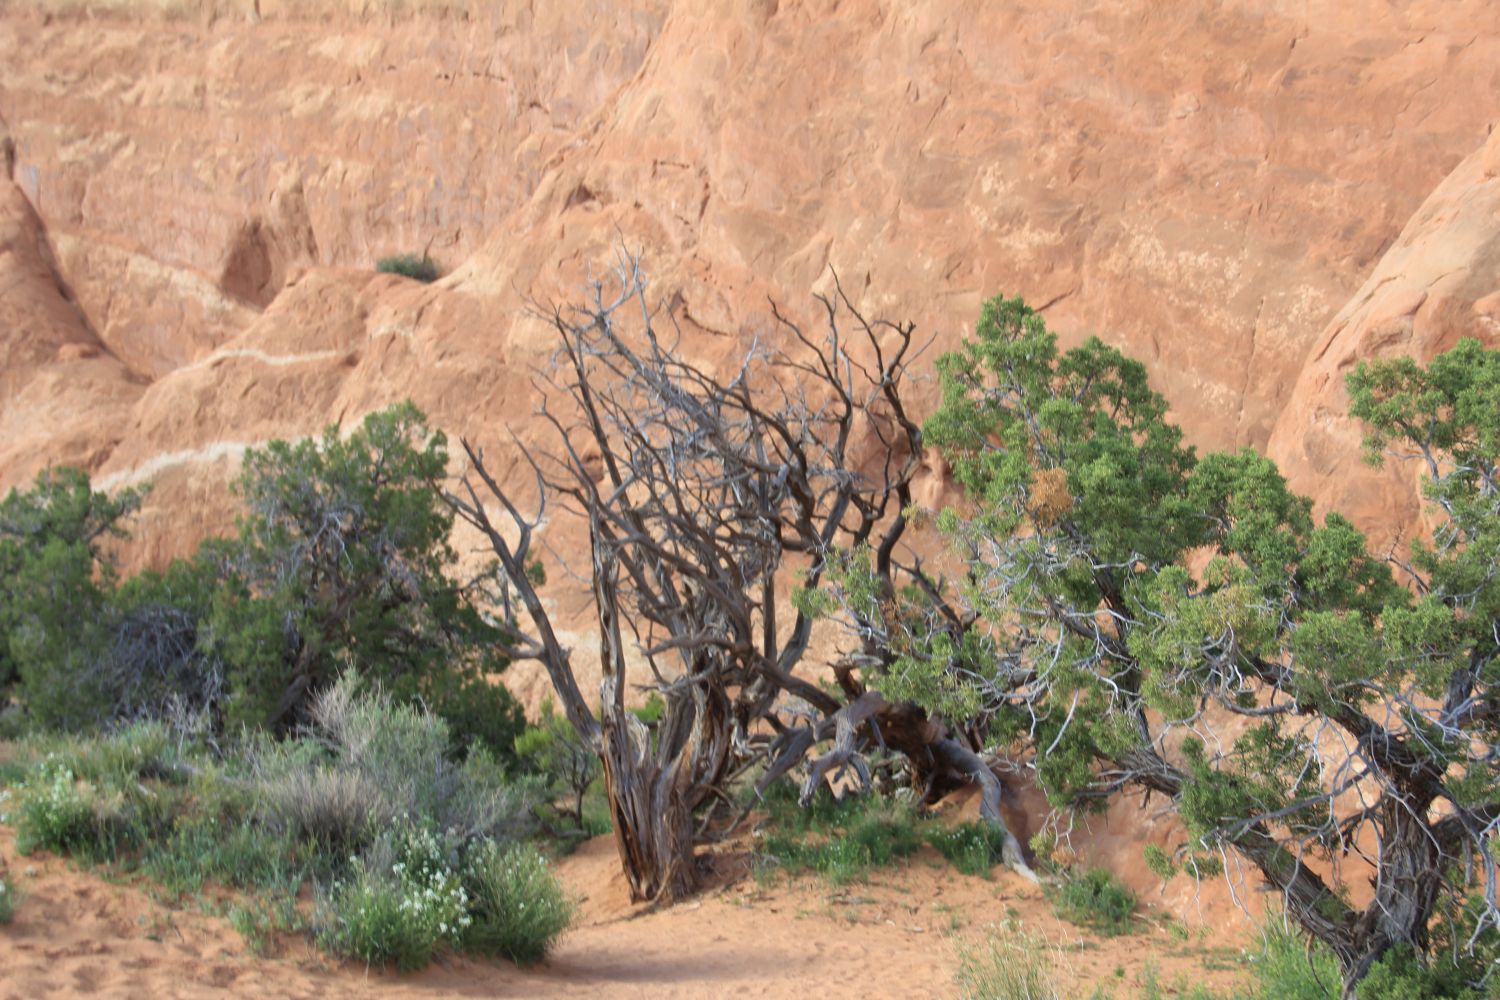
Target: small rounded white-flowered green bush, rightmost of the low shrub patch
<point>520,908</point>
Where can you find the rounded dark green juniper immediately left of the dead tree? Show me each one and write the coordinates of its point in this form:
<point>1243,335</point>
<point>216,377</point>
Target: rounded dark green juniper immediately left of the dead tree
<point>344,560</point>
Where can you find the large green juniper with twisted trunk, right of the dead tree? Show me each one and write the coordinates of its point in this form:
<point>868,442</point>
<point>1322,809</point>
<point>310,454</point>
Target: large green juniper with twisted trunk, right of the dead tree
<point>1130,600</point>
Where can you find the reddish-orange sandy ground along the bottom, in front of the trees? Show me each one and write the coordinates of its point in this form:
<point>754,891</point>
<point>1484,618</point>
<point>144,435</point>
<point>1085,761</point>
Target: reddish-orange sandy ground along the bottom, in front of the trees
<point>86,933</point>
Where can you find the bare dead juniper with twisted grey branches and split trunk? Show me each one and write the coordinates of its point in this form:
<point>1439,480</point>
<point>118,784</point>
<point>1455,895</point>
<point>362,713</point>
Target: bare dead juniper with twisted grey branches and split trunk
<point>707,496</point>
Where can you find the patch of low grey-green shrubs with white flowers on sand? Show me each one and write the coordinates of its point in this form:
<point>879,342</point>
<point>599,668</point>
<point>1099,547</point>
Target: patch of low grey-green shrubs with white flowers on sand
<point>370,804</point>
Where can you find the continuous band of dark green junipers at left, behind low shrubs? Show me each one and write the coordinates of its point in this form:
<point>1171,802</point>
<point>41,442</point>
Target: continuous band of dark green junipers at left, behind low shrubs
<point>343,561</point>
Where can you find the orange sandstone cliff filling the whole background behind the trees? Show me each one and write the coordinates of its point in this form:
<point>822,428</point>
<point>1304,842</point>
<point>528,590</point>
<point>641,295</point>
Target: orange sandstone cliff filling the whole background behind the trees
<point>1204,185</point>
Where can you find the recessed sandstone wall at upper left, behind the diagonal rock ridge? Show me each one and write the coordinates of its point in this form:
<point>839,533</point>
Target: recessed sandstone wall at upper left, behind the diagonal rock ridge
<point>185,169</point>
